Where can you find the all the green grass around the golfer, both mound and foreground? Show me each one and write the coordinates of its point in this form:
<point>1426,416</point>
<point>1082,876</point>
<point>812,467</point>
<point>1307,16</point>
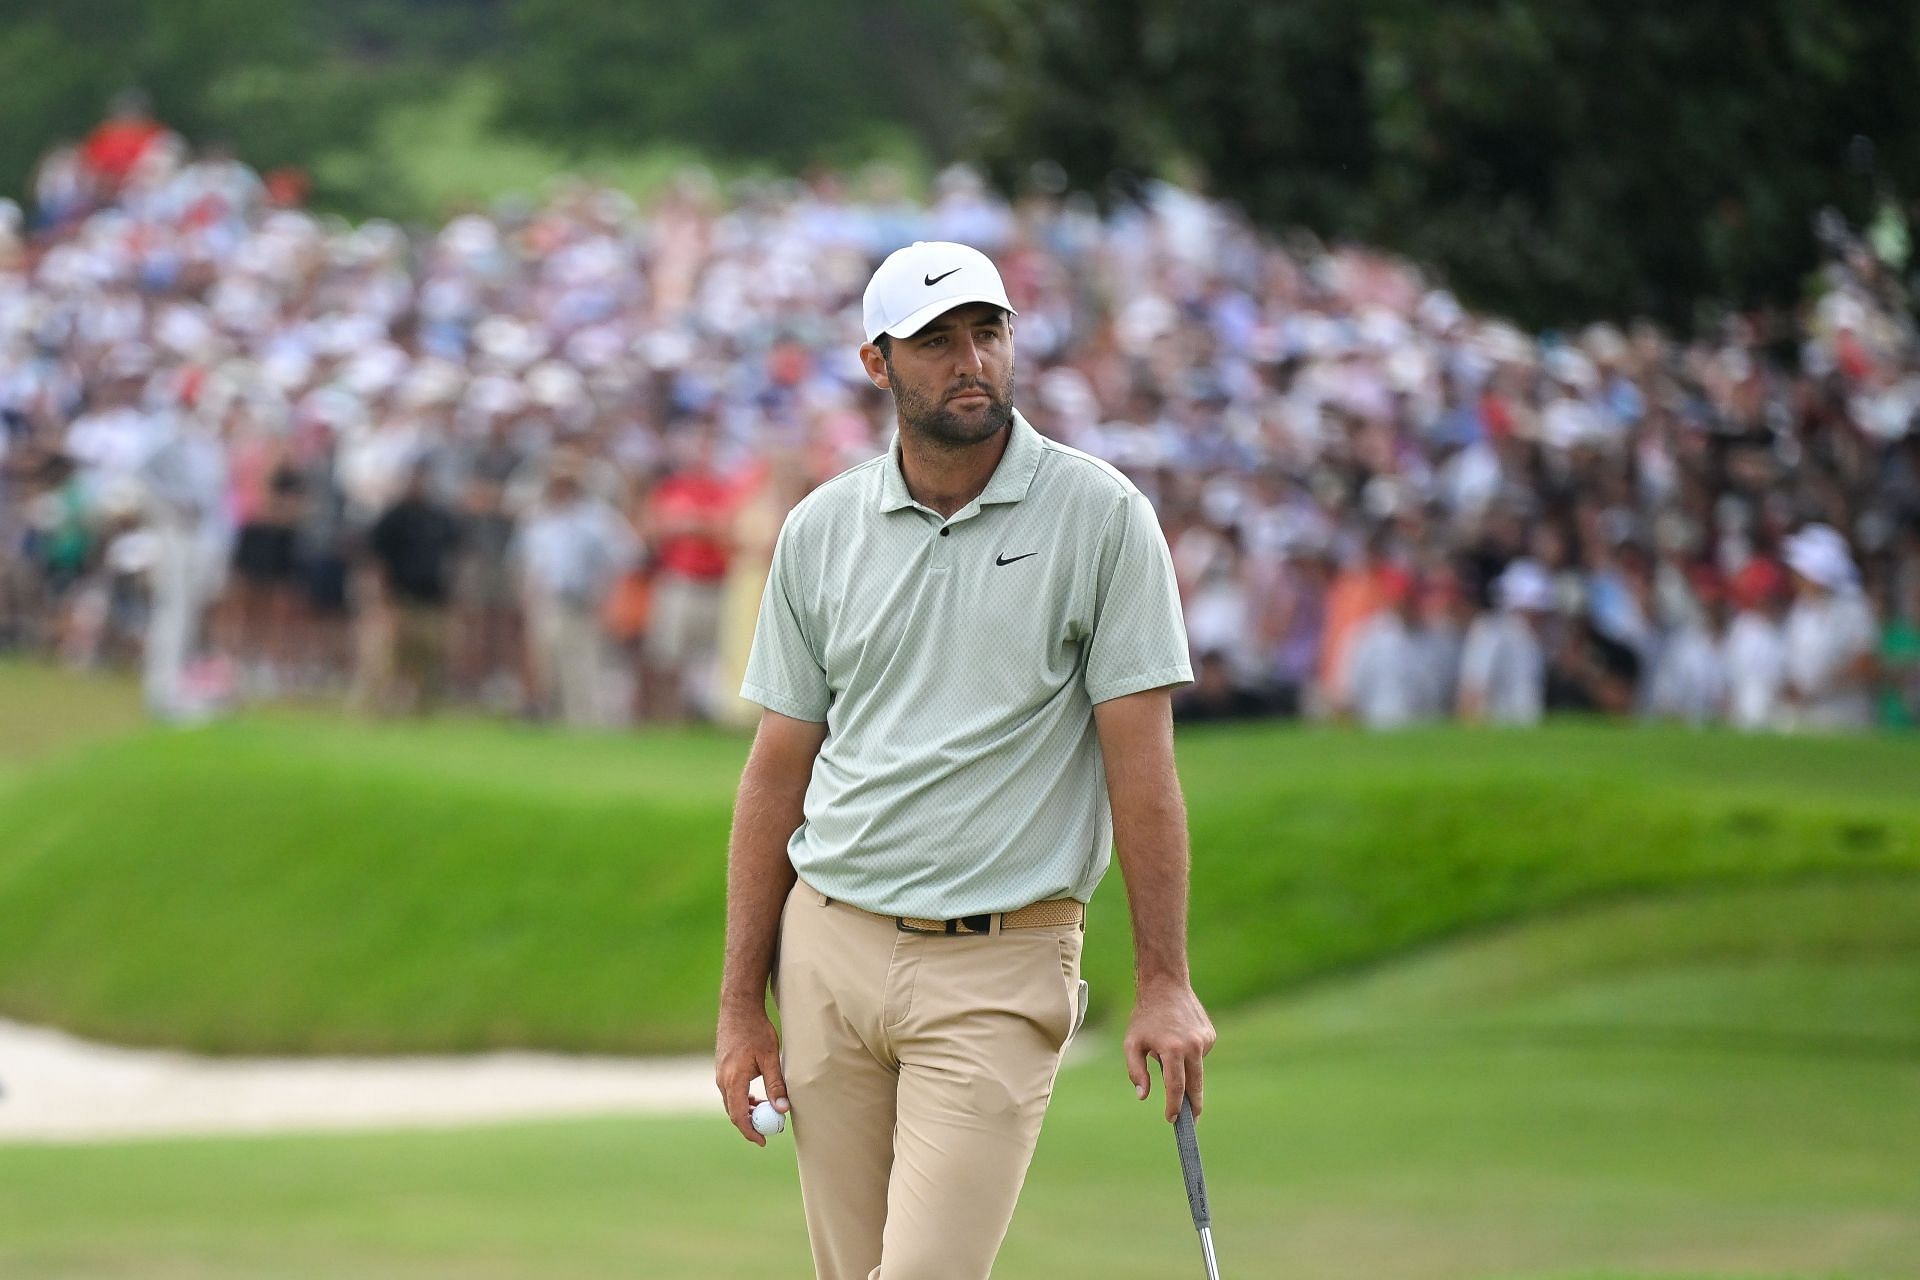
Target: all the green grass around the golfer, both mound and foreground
<point>1572,1007</point>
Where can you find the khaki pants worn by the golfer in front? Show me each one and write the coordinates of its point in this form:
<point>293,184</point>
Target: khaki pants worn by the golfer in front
<point>919,1068</point>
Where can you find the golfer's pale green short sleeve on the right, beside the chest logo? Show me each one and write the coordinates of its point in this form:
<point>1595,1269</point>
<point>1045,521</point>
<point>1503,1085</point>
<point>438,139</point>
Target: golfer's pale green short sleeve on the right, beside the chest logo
<point>1138,638</point>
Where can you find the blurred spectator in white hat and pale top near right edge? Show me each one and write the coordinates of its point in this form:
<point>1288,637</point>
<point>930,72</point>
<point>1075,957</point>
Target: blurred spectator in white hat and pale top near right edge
<point>1831,636</point>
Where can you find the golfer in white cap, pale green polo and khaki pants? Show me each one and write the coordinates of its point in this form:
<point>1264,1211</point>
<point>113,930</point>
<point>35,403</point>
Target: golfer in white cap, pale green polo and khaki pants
<point>967,653</point>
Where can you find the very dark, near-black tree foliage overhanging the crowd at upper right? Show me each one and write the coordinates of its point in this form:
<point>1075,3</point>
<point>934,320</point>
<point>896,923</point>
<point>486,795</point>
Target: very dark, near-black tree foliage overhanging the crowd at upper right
<point>1554,158</point>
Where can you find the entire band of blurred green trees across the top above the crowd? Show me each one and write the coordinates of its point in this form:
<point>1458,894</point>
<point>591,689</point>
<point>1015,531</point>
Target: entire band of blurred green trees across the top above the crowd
<point>1558,162</point>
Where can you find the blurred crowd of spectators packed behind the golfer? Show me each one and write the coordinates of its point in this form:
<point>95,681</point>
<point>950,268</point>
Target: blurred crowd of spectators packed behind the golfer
<point>535,460</point>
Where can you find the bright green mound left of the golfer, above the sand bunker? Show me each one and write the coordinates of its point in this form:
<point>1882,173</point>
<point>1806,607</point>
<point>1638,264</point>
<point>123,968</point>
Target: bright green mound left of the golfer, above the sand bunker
<point>316,886</point>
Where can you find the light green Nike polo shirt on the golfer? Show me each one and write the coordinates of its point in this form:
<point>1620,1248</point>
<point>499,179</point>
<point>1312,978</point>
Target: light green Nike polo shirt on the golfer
<point>955,665</point>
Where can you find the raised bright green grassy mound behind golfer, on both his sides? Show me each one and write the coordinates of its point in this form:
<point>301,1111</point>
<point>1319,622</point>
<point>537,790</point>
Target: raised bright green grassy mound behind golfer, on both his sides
<point>304,884</point>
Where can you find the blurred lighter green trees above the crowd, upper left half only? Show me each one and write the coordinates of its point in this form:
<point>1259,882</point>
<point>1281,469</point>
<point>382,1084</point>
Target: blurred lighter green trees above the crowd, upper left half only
<point>306,83</point>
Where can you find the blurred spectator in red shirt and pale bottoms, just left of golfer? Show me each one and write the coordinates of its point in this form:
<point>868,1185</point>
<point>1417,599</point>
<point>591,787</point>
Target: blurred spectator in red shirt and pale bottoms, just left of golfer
<point>690,515</point>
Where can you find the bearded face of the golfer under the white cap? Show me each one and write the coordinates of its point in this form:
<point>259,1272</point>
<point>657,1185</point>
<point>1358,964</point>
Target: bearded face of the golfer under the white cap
<point>953,383</point>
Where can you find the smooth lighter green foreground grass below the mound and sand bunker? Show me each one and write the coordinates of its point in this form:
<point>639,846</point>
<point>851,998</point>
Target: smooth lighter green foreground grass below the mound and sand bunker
<point>1717,1085</point>
